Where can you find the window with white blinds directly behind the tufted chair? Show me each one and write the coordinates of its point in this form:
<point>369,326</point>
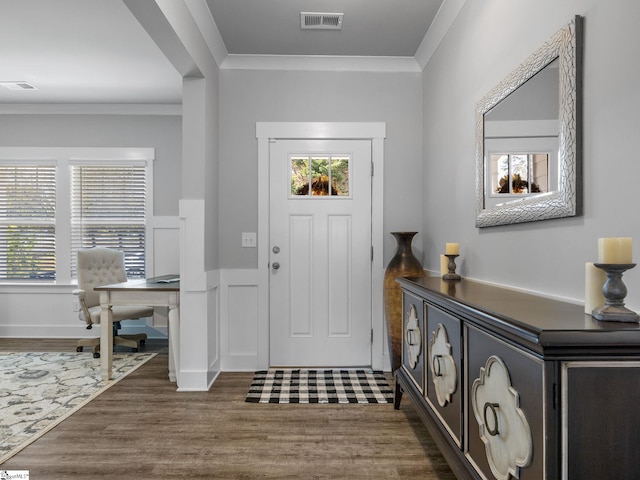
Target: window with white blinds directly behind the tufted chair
<point>108,209</point>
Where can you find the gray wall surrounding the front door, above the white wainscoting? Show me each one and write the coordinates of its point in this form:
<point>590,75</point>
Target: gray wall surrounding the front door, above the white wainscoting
<point>250,96</point>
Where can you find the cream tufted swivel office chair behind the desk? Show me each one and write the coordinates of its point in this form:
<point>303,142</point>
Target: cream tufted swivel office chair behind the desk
<point>103,266</point>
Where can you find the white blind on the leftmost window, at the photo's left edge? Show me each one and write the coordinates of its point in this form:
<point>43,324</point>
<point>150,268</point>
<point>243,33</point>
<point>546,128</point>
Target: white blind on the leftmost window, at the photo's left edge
<point>27,221</point>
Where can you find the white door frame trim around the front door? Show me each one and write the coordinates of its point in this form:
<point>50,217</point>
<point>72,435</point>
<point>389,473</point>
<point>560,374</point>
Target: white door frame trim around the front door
<point>374,131</point>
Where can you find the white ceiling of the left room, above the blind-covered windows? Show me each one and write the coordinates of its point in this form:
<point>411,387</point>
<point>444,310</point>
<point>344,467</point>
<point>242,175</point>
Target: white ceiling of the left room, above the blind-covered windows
<point>81,51</point>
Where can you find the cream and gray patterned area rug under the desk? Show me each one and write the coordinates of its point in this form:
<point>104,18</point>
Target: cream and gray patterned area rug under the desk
<point>39,390</point>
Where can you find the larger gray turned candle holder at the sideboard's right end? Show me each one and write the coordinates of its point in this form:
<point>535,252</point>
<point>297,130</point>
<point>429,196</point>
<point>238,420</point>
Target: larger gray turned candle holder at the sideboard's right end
<point>614,291</point>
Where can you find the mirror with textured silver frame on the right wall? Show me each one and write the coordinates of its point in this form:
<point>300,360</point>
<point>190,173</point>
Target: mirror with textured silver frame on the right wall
<point>512,133</point>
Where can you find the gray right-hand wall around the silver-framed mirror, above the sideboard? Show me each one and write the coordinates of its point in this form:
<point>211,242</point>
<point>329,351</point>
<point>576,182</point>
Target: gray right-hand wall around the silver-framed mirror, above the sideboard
<point>486,42</point>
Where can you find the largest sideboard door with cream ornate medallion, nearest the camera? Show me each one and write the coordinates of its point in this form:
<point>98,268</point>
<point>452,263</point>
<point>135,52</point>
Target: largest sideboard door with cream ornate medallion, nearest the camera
<point>504,409</point>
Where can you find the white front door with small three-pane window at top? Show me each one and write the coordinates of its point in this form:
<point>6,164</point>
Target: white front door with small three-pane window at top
<point>320,253</point>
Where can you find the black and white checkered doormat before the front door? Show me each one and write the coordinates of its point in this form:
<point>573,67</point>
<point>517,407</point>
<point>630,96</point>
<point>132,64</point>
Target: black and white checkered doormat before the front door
<point>320,386</point>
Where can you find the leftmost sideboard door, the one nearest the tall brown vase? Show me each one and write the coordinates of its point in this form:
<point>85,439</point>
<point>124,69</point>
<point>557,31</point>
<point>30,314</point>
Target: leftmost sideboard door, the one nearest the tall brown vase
<point>413,339</point>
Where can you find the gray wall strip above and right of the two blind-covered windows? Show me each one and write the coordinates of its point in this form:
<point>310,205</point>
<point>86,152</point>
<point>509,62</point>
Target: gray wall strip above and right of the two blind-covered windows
<point>163,132</point>
